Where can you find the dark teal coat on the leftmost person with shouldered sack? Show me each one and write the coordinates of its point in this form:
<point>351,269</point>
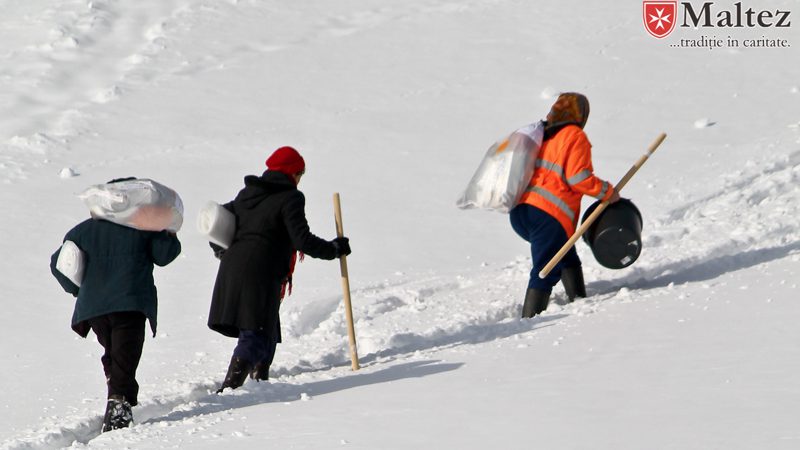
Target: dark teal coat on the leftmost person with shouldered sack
<point>118,271</point>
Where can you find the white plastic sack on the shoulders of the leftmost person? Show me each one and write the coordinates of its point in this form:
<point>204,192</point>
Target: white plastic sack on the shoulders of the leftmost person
<point>142,204</point>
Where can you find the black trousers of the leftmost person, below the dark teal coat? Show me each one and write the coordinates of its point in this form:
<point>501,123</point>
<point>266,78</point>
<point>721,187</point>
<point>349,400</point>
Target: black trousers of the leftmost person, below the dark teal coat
<point>122,336</point>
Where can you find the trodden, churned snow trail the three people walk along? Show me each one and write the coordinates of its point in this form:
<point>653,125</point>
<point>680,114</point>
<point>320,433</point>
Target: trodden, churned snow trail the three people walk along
<point>397,323</point>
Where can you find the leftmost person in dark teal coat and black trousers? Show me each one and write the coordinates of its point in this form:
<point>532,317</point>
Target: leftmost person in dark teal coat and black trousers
<point>115,294</point>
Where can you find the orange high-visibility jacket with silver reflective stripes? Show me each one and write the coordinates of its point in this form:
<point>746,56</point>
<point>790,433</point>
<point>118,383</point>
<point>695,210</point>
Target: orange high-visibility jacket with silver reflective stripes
<point>563,175</point>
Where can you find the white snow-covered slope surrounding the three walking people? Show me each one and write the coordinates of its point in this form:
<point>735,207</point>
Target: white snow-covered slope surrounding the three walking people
<point>393,103</point>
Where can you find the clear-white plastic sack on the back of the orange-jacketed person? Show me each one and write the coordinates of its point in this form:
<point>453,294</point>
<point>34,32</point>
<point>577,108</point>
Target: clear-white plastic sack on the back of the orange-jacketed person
<point>505,171</point>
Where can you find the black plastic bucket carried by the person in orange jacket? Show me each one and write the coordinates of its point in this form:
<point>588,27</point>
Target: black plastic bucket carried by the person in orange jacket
<point>616,236</point>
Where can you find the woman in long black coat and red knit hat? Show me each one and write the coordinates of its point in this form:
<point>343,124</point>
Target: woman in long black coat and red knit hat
<point>255,270</point>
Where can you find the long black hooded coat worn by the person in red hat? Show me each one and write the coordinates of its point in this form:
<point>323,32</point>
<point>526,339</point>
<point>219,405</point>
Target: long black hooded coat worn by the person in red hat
<point>270,226</point>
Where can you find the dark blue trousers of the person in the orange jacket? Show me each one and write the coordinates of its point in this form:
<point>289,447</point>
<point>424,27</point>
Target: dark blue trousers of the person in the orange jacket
<point>546,236</point>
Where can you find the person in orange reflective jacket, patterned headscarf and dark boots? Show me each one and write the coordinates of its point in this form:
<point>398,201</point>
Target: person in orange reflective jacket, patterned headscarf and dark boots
<point>548,212</point>
